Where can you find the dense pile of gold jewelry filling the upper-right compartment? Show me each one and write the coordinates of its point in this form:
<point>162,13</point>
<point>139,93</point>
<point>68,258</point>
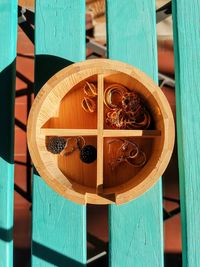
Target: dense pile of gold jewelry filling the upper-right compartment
<point>126,108</point>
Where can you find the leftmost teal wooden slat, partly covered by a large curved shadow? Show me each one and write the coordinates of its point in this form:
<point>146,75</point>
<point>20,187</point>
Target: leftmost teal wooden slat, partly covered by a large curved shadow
<point>8,36</point>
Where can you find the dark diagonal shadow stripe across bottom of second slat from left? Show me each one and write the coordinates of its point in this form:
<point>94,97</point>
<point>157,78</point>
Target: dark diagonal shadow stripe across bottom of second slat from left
<point>53,257</point>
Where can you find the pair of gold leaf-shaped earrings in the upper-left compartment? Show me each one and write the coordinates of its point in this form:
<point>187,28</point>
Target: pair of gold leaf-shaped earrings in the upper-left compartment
<point>89,100</point>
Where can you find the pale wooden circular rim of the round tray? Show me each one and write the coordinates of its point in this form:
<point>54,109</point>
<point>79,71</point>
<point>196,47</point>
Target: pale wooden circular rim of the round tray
<point>53,85</point>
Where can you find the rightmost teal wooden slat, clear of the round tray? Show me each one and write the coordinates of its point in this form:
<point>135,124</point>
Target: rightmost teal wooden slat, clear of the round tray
<point>186,16</point>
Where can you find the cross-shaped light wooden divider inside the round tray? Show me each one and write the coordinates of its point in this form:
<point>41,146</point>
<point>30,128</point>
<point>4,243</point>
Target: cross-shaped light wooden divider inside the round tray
<point>100,132</point>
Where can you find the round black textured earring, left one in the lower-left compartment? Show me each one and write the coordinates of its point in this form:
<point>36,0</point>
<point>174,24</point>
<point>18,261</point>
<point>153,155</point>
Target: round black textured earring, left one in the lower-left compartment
<point>56,144</point>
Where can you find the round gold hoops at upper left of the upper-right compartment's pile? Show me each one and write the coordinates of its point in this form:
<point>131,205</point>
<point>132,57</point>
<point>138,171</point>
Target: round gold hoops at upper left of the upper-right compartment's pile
<point>110,91</point>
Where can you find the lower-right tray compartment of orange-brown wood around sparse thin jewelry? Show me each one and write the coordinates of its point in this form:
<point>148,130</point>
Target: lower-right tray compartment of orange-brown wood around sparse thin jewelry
<point>117,173</point>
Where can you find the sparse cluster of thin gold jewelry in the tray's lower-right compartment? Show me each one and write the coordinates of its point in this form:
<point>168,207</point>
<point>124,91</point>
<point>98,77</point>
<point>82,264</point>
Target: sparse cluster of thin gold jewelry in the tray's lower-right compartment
<point>128,152</point>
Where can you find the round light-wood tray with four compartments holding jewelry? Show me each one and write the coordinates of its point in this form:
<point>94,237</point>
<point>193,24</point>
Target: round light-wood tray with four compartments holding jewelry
<point>57,111</point>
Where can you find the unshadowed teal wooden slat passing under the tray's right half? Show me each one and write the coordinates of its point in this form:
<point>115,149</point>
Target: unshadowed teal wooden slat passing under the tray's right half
<point>136,228</point>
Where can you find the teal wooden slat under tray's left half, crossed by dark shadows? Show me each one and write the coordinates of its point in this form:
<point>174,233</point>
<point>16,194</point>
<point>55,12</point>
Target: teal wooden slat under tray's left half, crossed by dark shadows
<point>59,226</point>
